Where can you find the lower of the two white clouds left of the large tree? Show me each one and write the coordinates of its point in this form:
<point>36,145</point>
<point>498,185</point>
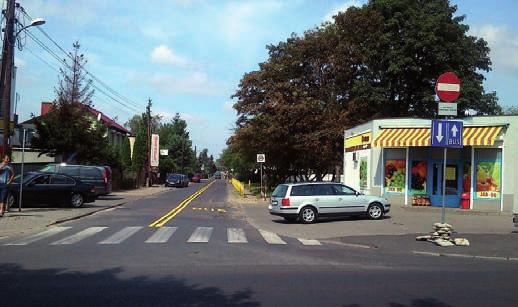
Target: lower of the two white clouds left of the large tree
<point>192,83</point>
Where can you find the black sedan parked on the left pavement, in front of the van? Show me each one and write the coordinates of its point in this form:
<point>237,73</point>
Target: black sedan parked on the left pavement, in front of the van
<point>44,188</point>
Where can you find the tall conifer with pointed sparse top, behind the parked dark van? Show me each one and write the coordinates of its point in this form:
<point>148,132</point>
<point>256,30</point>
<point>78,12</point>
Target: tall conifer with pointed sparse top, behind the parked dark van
<point>68,129</point>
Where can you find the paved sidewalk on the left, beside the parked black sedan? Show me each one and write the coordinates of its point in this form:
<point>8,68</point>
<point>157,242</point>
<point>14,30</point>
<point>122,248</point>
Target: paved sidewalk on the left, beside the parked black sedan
<point>32,220</point>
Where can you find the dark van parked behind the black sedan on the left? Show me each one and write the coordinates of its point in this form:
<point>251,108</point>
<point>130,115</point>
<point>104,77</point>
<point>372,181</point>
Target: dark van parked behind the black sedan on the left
<point>99,176</point>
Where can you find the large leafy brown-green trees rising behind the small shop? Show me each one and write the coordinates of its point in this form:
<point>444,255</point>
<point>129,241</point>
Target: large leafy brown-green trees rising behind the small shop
<point>375,61</point>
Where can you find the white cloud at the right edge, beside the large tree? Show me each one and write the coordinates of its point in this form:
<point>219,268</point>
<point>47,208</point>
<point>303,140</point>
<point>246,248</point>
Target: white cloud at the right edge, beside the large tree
<point>503,44</point>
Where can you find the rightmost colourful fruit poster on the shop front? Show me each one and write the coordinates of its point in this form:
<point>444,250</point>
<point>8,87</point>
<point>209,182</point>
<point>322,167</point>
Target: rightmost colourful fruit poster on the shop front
<point>489,179</point>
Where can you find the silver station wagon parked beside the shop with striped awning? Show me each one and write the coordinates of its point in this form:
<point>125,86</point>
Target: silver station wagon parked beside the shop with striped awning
<point>310,201</point>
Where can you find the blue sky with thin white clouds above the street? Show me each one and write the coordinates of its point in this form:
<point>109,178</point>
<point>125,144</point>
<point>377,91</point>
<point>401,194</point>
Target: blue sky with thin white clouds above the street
<point>188,56</point>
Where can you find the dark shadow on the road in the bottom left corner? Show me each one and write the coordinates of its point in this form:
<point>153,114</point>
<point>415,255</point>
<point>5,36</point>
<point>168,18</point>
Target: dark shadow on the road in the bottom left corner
<point>59,287</point>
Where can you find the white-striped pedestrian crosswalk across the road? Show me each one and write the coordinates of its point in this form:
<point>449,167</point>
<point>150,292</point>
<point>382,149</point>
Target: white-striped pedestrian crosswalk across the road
<point>111,235</point>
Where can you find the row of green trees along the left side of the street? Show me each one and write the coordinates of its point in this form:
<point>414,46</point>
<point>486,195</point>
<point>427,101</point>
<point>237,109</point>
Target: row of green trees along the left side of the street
<point>71,132</point>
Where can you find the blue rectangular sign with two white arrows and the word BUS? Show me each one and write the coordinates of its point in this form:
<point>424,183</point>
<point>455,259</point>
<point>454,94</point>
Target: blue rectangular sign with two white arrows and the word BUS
<point>447,133</point>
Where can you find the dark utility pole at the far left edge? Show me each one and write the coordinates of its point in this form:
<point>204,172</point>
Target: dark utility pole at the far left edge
<point>6,75</point>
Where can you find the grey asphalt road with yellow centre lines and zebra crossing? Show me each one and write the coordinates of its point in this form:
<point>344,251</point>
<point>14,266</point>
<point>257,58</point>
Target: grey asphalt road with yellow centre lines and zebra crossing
<point>207,255</point>
